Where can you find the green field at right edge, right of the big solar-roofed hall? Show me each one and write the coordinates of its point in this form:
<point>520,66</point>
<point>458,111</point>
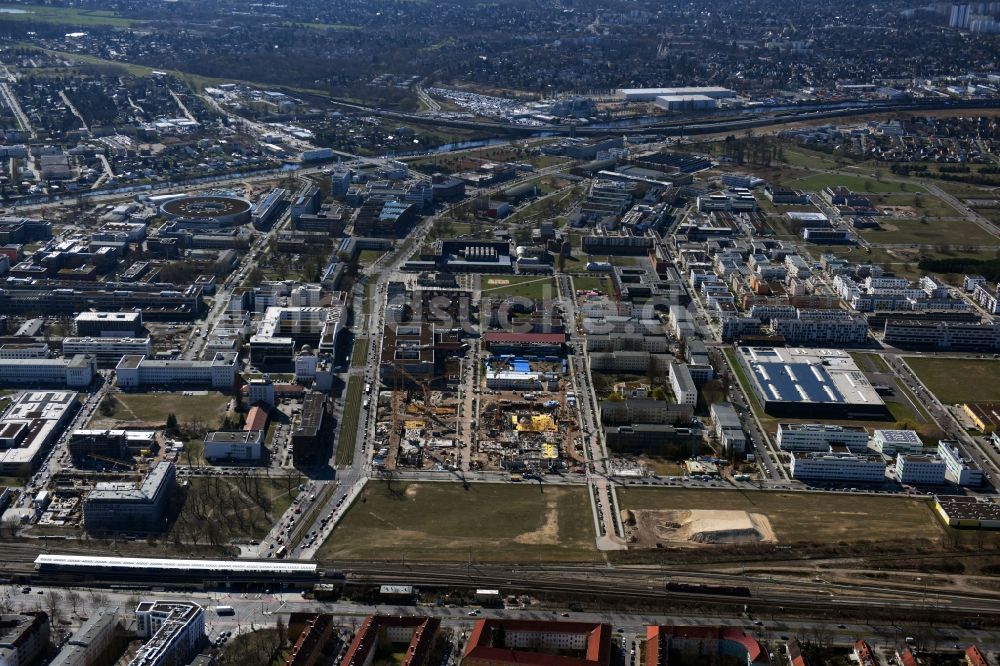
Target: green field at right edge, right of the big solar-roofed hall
<point>956,380</point>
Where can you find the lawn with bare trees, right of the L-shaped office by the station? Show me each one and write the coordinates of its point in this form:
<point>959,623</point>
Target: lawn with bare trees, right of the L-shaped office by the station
<point>227,508</point>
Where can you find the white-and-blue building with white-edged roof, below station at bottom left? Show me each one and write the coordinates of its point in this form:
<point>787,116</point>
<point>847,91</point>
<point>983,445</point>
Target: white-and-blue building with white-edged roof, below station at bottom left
<point>174,630</point>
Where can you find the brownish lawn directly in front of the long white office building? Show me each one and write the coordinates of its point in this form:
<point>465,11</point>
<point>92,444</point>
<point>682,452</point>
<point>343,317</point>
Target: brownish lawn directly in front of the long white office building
<point>208,407</point>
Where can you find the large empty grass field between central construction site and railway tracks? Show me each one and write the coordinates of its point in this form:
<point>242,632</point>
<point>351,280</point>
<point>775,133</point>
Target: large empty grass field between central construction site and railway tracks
<point>486,522</point>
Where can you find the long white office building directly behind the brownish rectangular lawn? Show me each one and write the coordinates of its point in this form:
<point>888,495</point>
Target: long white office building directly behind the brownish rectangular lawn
<point>136,371</point>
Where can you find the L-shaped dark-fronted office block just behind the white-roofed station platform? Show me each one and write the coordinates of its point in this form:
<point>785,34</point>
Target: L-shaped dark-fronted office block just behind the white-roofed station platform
<point>126,507</point>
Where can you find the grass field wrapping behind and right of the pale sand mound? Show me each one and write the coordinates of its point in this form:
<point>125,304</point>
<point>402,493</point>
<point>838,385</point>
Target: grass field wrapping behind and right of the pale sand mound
<point>803,517</point>
